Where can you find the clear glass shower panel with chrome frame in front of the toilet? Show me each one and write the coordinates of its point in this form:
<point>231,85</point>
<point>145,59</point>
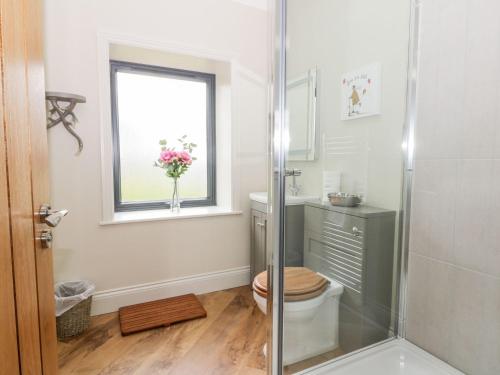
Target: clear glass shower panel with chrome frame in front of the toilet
<point>340,178</point>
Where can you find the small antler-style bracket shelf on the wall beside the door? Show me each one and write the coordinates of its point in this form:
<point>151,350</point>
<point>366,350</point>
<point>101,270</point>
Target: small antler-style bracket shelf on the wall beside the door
<point>61,107</point>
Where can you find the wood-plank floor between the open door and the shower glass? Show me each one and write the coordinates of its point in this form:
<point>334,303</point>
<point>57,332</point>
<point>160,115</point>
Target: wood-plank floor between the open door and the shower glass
<point>228,341</point>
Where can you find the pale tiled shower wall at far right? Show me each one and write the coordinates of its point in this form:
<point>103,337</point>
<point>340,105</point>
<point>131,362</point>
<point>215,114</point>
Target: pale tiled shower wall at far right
<point>454,264</point>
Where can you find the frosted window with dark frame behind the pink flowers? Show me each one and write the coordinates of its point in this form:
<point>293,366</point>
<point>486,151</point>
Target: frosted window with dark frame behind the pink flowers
<point>150,103</point>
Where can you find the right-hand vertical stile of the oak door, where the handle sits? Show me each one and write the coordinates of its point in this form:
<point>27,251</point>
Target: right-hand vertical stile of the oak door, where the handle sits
<point>40,181</point>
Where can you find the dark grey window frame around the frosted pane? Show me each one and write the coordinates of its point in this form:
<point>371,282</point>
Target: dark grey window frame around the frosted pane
<point>153,70</point>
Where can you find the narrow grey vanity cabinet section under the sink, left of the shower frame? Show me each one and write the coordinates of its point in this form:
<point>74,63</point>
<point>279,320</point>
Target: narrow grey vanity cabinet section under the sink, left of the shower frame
<point>258,253</point>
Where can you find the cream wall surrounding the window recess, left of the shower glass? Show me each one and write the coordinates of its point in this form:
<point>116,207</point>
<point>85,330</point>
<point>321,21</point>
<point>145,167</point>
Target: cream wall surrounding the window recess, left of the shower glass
<point>123,255</point>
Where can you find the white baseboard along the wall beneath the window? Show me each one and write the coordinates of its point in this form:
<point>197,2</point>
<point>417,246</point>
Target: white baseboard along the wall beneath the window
<point>111,300</point>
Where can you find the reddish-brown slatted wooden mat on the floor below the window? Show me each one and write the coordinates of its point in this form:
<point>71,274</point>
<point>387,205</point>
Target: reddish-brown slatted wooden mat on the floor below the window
<point>160,313</point>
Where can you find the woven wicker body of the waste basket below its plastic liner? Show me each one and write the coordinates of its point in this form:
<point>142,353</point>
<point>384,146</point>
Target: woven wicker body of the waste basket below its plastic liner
<point>74,321</point>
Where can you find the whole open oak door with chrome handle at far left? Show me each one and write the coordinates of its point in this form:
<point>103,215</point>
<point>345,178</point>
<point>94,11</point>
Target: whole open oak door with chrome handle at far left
<point>26,183</point>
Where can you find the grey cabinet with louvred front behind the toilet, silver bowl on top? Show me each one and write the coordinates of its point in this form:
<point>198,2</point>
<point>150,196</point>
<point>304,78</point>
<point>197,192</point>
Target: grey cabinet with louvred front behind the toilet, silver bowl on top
<point>355,246</point>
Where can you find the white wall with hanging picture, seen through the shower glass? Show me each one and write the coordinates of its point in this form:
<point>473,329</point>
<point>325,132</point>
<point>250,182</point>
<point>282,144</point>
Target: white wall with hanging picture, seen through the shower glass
<point>338,37</point>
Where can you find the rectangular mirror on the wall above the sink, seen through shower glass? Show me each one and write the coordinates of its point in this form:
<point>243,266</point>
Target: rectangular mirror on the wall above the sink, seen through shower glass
<point>301,110</point>
